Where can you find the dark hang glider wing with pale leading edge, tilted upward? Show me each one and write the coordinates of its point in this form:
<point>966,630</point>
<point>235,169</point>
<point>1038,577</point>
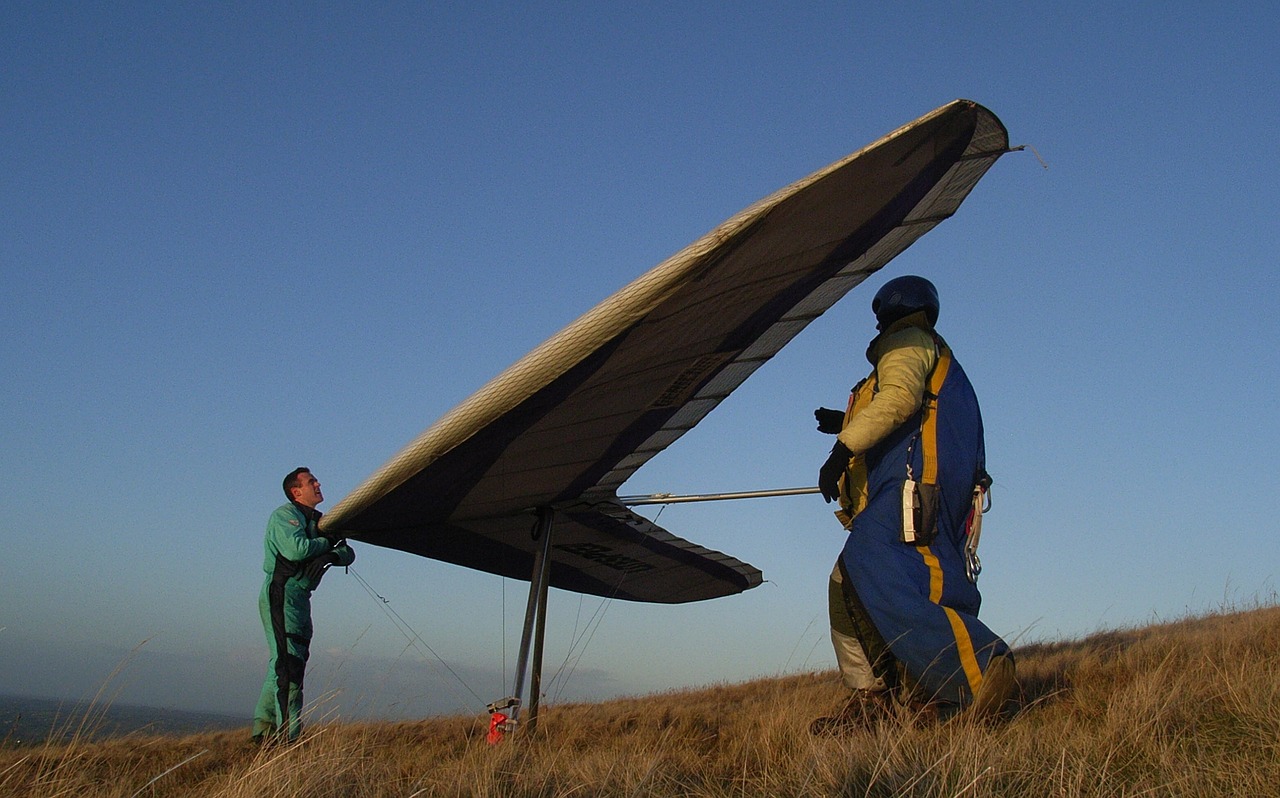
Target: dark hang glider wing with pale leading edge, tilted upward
<point>560,431</point>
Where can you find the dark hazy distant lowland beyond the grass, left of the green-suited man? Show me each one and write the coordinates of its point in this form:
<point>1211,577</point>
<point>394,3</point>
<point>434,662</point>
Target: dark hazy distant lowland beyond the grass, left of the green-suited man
<point>26,721</point>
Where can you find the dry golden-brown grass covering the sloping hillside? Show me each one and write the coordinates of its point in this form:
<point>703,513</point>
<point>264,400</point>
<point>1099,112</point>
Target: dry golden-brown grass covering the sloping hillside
<point>1183,709</point>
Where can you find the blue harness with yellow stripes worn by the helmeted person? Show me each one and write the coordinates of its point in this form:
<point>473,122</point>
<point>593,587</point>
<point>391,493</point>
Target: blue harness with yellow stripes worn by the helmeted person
<point>912,607</point>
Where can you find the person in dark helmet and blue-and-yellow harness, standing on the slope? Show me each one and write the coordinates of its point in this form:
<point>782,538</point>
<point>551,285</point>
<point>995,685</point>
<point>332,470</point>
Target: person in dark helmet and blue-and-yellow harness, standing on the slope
<point>909,472</point>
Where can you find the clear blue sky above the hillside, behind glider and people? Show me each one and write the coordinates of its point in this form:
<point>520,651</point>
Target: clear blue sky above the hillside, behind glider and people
<point>241,238</point>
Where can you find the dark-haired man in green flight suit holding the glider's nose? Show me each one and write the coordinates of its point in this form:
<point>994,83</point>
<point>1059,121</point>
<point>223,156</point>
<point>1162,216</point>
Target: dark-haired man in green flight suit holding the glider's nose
<point>298,555</point>
